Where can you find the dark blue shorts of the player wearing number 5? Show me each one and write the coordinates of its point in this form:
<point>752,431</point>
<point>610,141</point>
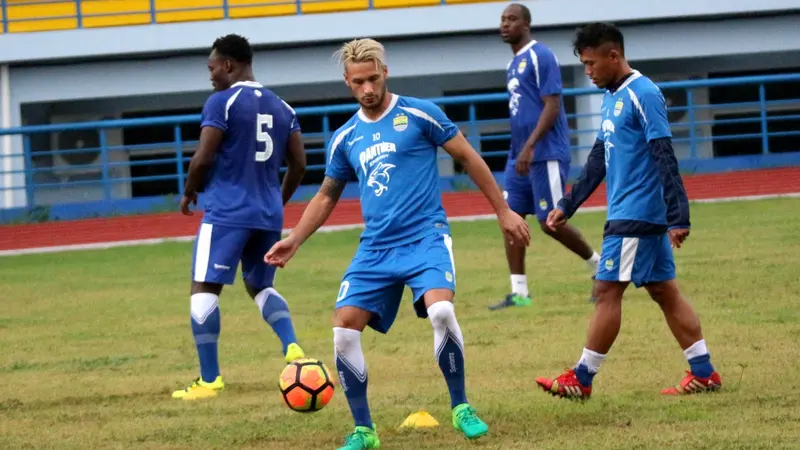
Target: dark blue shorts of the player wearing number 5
<point>218,250</point>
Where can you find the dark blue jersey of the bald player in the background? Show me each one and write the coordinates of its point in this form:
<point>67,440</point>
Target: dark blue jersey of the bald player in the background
<point>532,73</point>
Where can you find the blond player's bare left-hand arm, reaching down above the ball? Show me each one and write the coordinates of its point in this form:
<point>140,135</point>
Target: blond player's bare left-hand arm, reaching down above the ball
<point>317,212</point>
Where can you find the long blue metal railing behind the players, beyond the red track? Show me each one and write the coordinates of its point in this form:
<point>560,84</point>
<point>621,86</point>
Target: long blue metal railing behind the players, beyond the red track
<point>764,134</point>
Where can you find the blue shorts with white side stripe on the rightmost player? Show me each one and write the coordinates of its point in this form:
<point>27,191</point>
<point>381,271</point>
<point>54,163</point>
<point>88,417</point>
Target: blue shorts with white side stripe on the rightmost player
<point>642,260</point>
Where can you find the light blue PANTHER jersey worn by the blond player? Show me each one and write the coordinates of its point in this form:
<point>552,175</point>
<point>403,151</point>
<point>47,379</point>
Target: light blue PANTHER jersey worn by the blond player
<point>395,161</point>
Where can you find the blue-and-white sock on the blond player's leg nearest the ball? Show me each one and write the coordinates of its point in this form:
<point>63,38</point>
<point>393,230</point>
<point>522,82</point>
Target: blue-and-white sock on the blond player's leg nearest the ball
<point>352,373</point>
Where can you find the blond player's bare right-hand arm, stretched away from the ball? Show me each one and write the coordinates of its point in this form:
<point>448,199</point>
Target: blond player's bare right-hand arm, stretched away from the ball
<point>514,226</point>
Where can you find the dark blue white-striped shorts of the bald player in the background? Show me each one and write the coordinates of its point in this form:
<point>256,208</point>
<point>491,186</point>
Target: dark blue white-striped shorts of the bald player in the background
<point>539,191</point>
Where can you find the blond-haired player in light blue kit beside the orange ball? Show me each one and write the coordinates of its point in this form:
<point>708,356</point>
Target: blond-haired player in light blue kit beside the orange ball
<point>390,145</point>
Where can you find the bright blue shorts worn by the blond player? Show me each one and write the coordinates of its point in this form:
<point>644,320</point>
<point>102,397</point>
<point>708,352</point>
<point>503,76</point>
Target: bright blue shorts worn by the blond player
<point>376,278</point>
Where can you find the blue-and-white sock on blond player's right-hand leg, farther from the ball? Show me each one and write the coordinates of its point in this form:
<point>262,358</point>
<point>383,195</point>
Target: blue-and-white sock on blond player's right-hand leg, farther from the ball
<point>448,348</point>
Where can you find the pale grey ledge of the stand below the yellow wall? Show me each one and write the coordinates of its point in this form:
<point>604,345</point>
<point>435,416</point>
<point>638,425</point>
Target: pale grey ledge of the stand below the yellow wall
<point>128,42</point>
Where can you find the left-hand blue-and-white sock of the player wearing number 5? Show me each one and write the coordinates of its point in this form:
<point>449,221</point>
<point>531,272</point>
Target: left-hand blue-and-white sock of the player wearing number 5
<point>205,328</point>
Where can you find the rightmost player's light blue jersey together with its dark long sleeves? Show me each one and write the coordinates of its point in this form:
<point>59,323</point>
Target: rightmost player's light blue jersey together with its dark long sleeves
<point>634,153</point>
